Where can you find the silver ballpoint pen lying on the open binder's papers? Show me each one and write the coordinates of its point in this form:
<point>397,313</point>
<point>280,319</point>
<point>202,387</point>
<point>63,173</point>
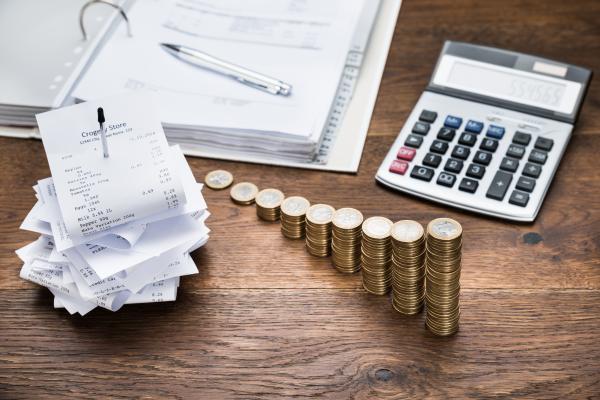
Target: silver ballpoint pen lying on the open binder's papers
<point>241,74</point>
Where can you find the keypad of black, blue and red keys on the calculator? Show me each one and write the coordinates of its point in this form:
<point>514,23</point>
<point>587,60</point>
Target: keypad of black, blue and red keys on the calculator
<point>457,157</point>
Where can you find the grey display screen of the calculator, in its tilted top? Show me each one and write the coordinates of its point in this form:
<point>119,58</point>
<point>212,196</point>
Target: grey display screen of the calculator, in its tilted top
<point>508,84</point>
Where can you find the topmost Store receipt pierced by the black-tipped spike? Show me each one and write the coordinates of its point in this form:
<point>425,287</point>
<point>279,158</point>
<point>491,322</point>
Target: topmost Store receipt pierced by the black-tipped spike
<point>138,179</point>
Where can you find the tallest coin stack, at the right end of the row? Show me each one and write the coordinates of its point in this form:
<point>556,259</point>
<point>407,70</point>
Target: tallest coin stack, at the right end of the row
<point>444,243</point>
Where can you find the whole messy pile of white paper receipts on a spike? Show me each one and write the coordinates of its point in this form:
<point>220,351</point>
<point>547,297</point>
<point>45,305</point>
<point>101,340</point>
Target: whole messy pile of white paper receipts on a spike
<point>114,230</point>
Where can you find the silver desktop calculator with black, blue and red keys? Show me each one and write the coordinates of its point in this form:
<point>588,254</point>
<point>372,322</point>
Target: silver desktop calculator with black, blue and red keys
<point>488,132</point>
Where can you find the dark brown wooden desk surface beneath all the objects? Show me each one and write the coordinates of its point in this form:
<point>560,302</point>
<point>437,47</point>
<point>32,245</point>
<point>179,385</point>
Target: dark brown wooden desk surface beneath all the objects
<point>265,319</point>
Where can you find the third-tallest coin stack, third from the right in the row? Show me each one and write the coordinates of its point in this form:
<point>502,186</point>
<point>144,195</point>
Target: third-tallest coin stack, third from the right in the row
<point>376,255</point>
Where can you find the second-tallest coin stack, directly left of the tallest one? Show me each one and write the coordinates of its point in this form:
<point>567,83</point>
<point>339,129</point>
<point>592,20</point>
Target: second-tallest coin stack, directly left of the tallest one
<point>408,267</point>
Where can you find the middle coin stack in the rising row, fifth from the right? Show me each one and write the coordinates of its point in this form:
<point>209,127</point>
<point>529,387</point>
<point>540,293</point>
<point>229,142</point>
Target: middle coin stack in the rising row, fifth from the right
<point>318,229</point>
